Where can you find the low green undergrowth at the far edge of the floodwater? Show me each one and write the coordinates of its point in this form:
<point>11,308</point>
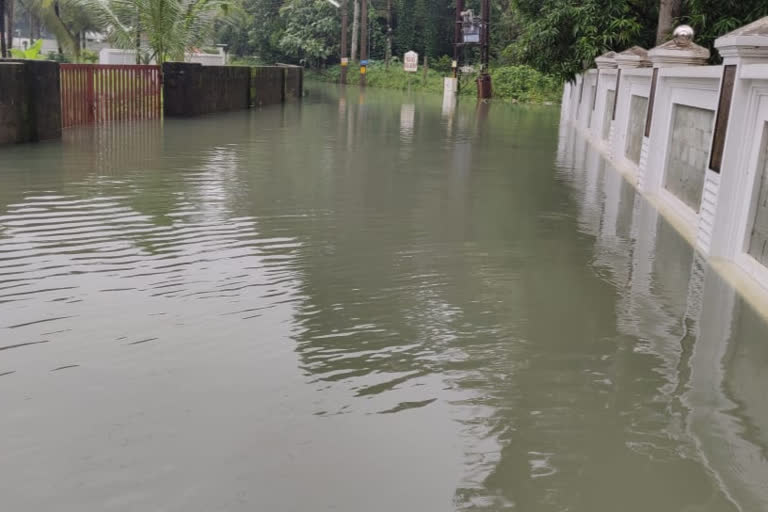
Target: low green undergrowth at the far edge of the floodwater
<point>513,83</point>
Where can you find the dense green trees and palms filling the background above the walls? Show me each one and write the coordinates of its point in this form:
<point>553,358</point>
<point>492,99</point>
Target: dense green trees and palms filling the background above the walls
<point>555,37</point>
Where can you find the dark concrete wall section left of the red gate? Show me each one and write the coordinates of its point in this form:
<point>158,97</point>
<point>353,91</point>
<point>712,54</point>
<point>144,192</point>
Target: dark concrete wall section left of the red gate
<point>30,101</point>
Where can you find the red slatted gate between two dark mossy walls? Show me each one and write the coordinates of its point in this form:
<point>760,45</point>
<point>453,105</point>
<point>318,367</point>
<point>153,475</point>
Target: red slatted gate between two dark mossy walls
<point>99,93</point>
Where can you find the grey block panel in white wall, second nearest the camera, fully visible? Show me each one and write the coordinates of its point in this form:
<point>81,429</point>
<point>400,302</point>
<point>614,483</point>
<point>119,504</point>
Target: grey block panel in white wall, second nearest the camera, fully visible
<point>688,153</point>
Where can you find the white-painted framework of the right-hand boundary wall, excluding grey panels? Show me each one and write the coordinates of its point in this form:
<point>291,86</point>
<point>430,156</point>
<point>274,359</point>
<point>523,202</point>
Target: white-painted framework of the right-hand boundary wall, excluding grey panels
<point>721,227</point>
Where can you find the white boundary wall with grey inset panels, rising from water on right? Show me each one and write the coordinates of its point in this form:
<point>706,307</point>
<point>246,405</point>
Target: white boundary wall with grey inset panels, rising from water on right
<point>700,154</point>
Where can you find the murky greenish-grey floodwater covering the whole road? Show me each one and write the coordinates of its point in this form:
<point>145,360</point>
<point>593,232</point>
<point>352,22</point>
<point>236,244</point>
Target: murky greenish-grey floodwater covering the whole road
<point>363,303</point>
